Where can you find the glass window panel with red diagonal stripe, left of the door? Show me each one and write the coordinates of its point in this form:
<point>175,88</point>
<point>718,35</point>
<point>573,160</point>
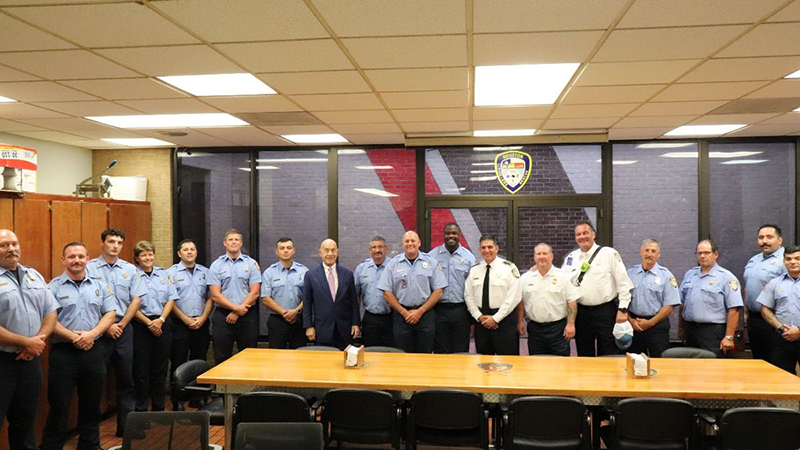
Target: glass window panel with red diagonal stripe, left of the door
<point>377,196</point>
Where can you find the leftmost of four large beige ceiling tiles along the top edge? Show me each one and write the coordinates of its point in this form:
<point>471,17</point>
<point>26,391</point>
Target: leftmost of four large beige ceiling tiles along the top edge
<point>249,20</point>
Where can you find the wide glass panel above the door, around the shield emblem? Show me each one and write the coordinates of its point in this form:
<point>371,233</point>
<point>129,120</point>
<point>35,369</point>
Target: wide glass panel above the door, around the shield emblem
<point>556,169</point>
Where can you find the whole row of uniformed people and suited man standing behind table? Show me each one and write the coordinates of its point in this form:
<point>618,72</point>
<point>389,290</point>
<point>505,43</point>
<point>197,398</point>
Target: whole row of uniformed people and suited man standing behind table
<point>416,301</point>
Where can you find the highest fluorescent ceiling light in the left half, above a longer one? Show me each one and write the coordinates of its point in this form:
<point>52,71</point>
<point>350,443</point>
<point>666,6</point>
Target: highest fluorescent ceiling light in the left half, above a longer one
<point>221,84</point>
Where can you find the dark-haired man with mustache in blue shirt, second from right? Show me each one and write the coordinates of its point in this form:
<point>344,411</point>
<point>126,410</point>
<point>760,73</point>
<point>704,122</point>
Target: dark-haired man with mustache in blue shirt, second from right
<point>759,270</point>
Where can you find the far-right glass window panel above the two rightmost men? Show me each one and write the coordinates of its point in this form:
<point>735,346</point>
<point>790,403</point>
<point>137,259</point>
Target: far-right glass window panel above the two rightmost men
<point>750,184</point>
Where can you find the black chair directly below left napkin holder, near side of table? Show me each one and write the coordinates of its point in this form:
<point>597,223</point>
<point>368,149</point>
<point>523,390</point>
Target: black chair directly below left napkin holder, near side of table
<point>361,416</point>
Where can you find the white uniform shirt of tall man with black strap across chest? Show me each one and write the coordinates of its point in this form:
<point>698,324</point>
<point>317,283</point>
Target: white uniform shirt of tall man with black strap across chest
<point>606,279</point>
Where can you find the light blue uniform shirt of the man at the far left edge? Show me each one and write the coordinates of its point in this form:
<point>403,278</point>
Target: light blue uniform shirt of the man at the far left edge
<point>22,308</point>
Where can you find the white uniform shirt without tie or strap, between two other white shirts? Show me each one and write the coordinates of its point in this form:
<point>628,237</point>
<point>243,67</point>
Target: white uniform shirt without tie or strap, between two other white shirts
<point>546,297</point>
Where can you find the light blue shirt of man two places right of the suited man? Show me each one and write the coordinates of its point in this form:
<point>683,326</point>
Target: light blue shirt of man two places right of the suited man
<point>412,284</point>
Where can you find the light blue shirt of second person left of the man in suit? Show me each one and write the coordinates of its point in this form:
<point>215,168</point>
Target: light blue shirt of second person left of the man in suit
<point>234,276</point>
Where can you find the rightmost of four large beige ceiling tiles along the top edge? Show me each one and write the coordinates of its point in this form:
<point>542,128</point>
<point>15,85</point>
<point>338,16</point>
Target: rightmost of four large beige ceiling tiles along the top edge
<point>657,13</point>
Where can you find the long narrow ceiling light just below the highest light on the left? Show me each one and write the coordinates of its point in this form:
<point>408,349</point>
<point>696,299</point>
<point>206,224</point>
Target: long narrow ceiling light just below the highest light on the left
<point>171,120</point>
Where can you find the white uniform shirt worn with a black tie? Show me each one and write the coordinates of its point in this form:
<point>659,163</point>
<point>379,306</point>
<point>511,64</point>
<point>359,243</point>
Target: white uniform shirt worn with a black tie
<point>504,292</point>
